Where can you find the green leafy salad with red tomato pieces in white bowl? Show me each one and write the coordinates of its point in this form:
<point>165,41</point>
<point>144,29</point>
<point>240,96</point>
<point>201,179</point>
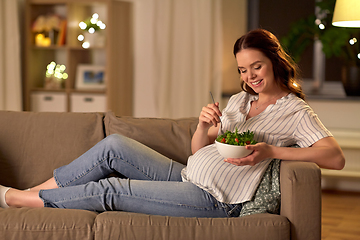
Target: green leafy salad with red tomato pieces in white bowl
<point>238,139</point>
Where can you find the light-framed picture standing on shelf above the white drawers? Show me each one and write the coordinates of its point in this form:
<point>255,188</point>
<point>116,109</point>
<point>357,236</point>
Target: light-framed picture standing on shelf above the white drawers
<point>90,77</point>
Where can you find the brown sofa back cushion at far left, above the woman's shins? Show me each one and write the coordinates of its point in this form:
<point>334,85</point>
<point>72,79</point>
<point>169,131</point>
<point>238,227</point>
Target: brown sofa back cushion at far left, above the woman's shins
<point>32,145</point>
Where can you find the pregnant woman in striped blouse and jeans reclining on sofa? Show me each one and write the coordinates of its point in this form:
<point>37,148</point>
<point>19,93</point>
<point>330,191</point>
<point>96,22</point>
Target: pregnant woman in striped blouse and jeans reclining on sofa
<point>272,106</point>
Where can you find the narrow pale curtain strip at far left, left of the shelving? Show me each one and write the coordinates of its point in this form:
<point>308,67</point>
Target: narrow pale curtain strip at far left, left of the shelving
<point>10,61</point>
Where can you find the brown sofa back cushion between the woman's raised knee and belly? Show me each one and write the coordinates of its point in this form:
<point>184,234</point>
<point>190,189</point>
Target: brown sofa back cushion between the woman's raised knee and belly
<point>170,137</point>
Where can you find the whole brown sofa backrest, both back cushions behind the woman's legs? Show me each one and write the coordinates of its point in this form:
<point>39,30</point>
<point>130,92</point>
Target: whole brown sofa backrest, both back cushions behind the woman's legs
<point>33,144</point>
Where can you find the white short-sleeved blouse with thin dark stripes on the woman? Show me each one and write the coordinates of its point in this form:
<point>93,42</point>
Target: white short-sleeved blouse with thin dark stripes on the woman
<point>287,122</point>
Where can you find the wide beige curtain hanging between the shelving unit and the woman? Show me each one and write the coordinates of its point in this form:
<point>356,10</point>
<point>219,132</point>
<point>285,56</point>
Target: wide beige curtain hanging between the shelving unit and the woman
<point>178,56</point>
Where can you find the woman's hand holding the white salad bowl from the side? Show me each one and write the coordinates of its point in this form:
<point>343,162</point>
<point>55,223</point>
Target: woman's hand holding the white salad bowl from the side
<point>261,151</point>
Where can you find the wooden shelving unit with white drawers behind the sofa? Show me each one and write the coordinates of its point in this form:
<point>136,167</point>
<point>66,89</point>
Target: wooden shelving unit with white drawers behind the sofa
<point>116,56</point>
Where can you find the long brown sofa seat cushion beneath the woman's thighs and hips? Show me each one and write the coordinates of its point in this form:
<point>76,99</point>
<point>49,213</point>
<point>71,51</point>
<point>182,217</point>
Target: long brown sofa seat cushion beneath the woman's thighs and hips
<point>123,225</point>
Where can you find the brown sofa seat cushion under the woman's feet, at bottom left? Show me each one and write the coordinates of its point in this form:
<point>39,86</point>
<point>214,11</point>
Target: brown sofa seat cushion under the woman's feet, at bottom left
<point>46,223</point>
